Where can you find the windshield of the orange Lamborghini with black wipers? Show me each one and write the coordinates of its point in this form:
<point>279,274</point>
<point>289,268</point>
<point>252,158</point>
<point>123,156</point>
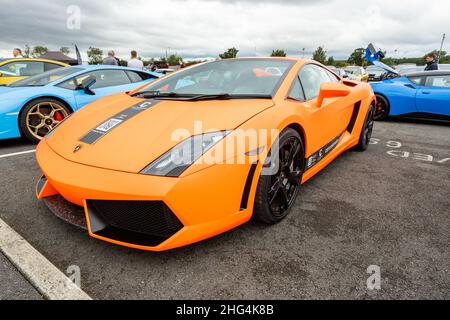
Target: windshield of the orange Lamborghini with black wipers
<point>242,77</point>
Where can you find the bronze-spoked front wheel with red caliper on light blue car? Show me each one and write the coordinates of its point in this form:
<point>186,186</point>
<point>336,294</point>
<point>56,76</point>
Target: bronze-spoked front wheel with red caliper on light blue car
<point>40,116</point>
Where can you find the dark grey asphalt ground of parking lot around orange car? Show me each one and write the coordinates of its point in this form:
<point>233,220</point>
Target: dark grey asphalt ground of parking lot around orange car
<point>388,207</point>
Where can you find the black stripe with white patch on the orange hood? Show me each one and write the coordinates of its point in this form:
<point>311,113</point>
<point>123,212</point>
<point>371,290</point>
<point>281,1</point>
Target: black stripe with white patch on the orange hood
<point>108,125</point>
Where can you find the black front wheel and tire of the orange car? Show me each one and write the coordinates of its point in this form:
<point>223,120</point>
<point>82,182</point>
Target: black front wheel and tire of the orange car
<point>276,193</point>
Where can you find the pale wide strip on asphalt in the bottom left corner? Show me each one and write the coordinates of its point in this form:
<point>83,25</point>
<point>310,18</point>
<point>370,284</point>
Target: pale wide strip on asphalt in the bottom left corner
<point>41,273</point>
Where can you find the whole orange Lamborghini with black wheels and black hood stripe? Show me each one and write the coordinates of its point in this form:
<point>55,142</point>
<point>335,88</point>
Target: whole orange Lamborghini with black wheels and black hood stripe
<point>201,151</point>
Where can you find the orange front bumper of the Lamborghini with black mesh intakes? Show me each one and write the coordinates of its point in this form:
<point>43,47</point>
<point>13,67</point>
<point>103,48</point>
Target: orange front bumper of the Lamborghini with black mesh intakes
<point>206,203</point>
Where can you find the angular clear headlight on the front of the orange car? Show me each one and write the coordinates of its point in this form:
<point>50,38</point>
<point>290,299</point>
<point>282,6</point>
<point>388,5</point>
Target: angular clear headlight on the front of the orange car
<point>174,162</point>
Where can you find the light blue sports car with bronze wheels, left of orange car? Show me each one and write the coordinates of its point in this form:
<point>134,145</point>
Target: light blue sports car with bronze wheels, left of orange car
<point>34,106</point>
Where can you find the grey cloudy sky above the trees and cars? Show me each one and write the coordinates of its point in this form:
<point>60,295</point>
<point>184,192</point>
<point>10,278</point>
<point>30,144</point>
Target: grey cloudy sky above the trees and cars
<point>205,28</point>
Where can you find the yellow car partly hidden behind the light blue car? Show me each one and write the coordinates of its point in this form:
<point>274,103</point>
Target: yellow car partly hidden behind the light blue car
<point>17,69</point>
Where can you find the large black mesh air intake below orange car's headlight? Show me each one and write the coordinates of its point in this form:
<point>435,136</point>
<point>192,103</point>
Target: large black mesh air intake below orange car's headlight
<point>151,218</point>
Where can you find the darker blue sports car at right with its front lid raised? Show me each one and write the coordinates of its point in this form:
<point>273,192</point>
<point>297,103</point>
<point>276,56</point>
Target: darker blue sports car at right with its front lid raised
<point>414,95</point>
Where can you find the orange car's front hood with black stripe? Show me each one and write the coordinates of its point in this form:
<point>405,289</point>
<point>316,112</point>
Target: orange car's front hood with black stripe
<point>147,134</point>
